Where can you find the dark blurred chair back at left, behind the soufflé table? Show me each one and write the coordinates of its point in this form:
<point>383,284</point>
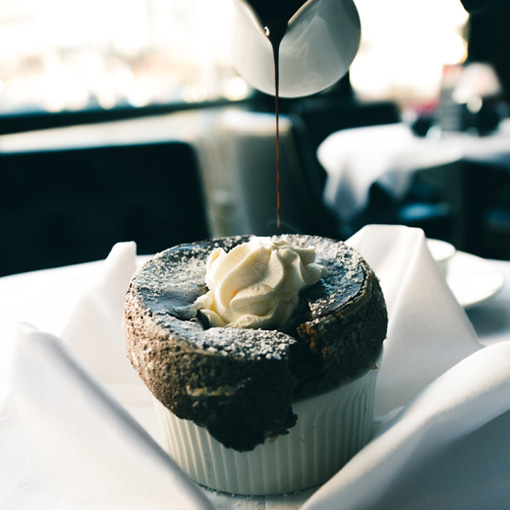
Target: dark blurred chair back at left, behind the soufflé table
<point>61,207</point>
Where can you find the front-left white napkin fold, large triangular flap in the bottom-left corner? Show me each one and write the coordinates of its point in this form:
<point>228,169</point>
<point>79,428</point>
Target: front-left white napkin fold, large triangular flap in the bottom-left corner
<point>67,443</point>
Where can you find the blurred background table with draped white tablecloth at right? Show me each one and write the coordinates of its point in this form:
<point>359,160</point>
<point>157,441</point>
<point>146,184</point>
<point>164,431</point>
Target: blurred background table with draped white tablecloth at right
<point>454,185</point>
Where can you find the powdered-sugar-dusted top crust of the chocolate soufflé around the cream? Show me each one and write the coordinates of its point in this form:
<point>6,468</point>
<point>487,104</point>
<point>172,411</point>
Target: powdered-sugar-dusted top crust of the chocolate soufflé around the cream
<point>171,281</point>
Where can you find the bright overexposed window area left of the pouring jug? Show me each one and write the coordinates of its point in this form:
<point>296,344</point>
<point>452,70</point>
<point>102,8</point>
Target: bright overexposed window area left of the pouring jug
<point>57,55</point>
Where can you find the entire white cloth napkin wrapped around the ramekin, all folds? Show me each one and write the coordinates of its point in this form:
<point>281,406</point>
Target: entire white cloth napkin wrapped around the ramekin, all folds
<point>442,440</point>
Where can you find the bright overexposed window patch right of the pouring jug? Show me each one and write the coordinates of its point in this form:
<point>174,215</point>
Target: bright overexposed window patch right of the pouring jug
<point>405,45</point>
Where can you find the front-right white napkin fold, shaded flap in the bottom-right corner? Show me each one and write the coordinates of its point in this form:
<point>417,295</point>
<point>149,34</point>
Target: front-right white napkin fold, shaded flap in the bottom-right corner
<point>447,449</point>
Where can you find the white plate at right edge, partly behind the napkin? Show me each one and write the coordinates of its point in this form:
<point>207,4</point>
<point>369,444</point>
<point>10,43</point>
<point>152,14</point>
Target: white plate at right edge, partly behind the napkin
<point>472,279</point>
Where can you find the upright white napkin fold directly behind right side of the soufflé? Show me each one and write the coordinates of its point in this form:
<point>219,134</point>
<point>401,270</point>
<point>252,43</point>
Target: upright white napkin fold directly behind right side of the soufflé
<point>428,332</point>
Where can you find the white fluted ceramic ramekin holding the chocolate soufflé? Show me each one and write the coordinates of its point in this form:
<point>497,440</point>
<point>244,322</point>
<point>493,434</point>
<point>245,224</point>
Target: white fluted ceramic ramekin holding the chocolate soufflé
<point>331,428</point>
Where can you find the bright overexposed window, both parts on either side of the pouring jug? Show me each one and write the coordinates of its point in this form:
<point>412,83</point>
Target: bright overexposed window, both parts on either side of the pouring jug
<point>58,55</point>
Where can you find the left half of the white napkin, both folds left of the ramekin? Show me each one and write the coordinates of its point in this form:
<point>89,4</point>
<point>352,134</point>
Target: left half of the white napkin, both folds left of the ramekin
<point>65,441</point>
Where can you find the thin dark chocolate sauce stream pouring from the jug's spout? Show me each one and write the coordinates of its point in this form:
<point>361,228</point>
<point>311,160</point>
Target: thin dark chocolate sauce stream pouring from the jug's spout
<point>275,17</point>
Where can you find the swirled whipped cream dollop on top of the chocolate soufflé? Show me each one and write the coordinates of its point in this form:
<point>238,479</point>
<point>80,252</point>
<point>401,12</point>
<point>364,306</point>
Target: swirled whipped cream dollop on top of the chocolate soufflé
<point>257,284</point>
